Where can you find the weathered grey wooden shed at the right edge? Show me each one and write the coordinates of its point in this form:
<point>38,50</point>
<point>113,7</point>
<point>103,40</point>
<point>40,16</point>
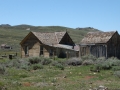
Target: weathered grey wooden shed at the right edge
<point>101,44</point>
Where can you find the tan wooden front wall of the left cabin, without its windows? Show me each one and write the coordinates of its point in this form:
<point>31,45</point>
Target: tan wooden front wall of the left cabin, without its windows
<point>34,50</point>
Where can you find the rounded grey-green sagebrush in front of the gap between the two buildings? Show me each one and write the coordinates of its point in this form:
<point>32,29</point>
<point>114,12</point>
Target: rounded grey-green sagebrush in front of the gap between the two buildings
<point>74,61</point>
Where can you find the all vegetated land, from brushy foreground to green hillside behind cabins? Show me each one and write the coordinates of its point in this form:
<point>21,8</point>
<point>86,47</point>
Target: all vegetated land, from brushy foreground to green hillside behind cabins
<point>36,73</point>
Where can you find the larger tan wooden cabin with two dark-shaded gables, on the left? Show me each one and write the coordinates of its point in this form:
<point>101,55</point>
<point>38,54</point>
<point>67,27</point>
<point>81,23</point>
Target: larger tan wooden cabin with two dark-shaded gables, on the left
<point>48,45</point>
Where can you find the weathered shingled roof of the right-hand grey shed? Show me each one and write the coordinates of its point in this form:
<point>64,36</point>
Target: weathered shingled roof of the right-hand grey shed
<point>97,37</point>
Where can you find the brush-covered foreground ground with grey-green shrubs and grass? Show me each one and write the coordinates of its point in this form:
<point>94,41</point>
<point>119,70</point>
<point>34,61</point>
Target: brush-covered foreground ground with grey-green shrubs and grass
<point>38,73</point>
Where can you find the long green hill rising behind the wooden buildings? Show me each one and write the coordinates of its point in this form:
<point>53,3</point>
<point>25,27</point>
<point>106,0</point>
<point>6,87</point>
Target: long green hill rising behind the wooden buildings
<point>12,35</point>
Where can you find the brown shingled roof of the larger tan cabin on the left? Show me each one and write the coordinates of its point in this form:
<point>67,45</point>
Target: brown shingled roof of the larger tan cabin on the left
<point>49,38</point>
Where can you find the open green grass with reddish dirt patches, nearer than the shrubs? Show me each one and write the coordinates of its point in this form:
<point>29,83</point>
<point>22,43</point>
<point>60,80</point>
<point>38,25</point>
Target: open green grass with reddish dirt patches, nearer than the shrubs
<point>52,78</point>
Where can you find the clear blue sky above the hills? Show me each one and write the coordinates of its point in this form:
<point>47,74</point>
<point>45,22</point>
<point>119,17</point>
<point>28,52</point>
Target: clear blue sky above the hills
<point>101,14</point>
